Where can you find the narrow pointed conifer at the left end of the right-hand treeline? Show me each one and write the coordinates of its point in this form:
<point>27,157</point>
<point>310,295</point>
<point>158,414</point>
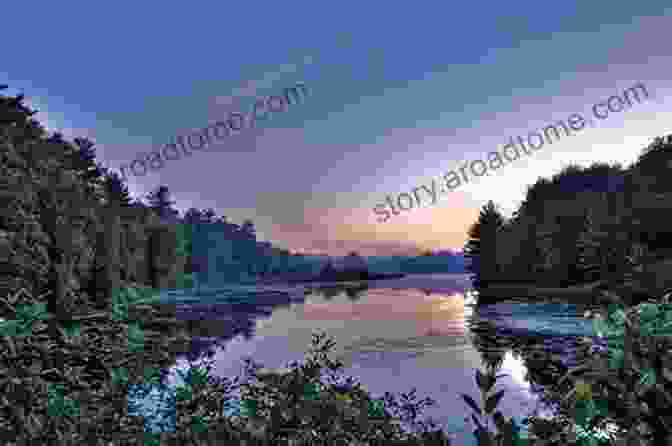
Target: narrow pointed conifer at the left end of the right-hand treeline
<point>480,249</point>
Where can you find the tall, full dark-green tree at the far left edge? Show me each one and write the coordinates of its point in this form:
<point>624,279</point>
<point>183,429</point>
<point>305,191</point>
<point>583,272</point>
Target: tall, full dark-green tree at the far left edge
<point>38,186</point>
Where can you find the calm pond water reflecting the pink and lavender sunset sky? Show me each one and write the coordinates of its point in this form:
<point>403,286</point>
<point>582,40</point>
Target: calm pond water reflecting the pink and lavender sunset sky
<point>396,335</point>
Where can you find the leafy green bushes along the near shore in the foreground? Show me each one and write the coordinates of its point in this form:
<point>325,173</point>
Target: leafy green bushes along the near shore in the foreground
<point>624,378</point>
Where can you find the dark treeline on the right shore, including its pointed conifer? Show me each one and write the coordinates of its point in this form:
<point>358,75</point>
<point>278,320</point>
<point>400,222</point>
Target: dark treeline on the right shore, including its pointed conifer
<point>603,222</point>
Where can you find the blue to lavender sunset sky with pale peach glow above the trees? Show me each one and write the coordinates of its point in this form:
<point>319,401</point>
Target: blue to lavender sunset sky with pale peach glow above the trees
<point>398,95</point>
